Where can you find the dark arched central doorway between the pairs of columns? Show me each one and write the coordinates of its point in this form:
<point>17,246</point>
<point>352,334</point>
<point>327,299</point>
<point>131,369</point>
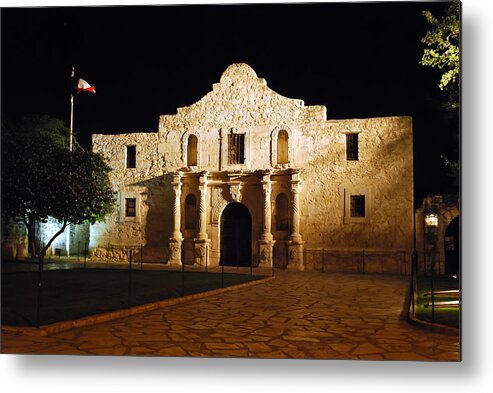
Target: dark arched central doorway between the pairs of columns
<point>236,236</point>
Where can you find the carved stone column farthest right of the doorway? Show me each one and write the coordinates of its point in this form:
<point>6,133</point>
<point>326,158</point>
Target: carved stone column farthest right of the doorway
<point>295,260</point>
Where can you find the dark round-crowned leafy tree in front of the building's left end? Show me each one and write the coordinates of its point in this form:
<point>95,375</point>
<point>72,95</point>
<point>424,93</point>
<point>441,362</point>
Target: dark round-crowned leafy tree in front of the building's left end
<point>41,178</point>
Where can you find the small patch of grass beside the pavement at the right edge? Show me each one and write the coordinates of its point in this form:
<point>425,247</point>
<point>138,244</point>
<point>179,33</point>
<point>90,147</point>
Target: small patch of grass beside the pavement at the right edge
<point>447,316</point>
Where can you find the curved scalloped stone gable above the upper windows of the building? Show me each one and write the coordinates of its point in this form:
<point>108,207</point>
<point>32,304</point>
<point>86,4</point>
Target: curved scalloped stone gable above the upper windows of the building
<point>241,99</point>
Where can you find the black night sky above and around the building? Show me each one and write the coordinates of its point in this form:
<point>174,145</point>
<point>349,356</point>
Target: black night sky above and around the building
<point>357,59</point>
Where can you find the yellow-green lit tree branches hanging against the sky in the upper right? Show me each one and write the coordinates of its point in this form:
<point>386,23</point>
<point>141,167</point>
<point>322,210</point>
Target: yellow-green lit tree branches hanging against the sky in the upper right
<point>443,51</point>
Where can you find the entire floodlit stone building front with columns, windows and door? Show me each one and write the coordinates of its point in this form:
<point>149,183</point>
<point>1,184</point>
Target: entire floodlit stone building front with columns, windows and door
<point>246,175</point>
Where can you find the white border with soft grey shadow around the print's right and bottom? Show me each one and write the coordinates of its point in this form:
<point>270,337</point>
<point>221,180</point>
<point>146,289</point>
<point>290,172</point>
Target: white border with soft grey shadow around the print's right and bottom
<point>125,374</point>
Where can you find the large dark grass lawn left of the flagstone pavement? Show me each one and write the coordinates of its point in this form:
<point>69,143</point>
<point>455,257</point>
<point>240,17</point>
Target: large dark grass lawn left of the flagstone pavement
<point>75,293</point>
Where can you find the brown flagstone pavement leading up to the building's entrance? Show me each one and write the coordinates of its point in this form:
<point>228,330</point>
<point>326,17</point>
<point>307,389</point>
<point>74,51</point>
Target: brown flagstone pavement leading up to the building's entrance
<point>296,315</point>
